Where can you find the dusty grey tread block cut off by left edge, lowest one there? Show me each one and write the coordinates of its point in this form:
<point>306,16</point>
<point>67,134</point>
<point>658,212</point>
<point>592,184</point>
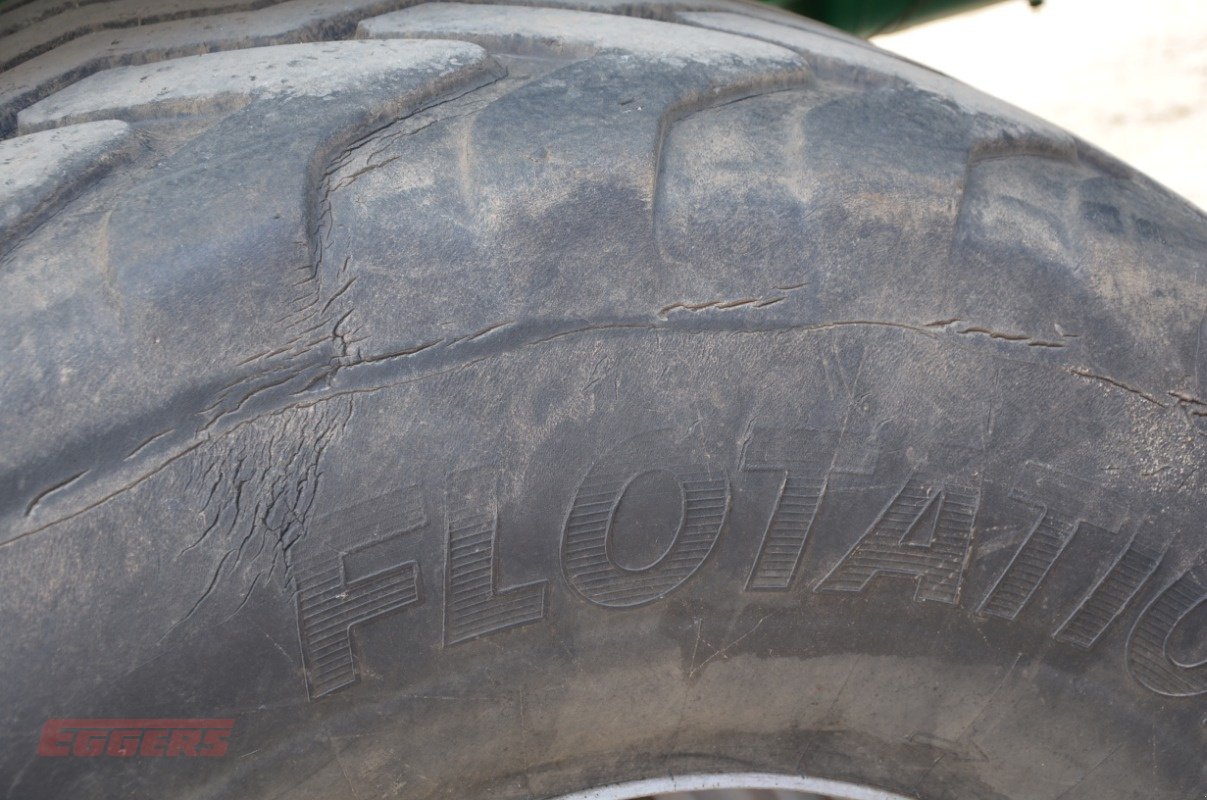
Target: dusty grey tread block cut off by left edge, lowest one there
<point>43,168</point>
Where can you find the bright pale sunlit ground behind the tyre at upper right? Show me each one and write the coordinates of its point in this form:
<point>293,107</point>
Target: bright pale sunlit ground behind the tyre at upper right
<point>1128,75</point>
